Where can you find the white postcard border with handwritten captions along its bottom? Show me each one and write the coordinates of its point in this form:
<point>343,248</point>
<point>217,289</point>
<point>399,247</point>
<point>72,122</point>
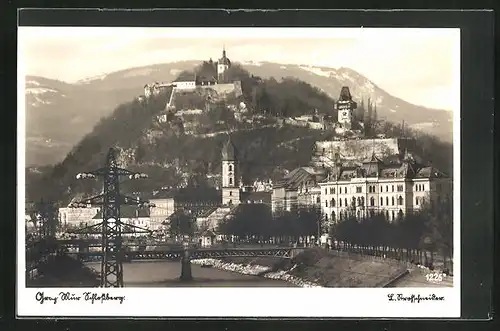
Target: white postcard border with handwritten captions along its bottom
<point>253,302</point>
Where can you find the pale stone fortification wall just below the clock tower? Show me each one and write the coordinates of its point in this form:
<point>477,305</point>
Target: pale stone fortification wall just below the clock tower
<point>360,149</point>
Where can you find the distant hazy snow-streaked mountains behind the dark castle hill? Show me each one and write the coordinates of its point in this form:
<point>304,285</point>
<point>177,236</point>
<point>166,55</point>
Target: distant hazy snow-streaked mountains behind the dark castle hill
<point>59,114</point>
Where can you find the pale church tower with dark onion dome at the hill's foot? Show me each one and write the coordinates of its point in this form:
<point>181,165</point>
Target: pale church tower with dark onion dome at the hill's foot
<point>230,175</point>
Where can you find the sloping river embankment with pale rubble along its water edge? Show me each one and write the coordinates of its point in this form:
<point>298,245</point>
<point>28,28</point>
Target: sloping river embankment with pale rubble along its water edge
<point>318,268</point>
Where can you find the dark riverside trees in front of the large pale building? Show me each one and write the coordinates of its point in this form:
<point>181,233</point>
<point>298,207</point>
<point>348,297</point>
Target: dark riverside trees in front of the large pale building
<point>430,229</point>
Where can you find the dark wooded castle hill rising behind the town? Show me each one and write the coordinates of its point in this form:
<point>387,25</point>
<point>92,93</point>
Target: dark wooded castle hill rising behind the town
<point>190,147</point>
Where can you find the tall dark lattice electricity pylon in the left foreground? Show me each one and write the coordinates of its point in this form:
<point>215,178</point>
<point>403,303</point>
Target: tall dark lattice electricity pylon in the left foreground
<point>111,199</point>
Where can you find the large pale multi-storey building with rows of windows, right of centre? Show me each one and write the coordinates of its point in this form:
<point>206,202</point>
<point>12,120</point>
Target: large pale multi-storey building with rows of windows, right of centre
<point>374,186</point>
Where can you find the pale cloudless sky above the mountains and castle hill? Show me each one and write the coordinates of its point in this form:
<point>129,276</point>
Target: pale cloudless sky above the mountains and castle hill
<point>420,66</point>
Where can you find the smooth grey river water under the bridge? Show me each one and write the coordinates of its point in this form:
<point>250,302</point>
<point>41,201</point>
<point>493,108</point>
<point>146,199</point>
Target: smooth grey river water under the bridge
<point>166,274</point>
